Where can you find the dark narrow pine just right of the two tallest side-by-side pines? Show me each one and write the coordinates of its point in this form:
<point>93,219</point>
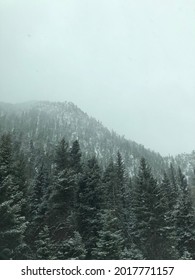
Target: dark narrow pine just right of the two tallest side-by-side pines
<point>90,200</point>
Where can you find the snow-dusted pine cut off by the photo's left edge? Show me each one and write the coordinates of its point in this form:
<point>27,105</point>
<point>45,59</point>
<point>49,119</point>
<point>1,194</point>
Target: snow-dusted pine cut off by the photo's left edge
<point>12,223</point>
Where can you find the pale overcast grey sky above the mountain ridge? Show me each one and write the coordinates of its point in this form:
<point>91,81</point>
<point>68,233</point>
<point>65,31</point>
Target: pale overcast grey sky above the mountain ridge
<point>128,63</point>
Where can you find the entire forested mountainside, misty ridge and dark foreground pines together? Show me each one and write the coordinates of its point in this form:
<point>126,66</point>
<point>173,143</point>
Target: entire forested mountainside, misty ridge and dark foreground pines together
<point>71,189</point>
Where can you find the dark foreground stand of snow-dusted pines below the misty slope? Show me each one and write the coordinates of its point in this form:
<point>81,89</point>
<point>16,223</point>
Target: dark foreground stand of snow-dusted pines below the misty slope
<point>56,204</point>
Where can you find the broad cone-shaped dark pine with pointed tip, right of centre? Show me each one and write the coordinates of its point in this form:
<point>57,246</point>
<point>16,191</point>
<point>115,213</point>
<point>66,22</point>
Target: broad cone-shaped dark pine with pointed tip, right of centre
<point>151,231</point>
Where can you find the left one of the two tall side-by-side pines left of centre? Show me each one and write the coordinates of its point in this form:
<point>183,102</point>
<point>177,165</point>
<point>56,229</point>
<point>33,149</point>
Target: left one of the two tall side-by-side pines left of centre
<point>62,194</point>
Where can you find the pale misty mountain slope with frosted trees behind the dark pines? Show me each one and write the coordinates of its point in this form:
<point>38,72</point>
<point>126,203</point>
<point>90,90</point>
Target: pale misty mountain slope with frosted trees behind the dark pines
<point>45,123</point>
